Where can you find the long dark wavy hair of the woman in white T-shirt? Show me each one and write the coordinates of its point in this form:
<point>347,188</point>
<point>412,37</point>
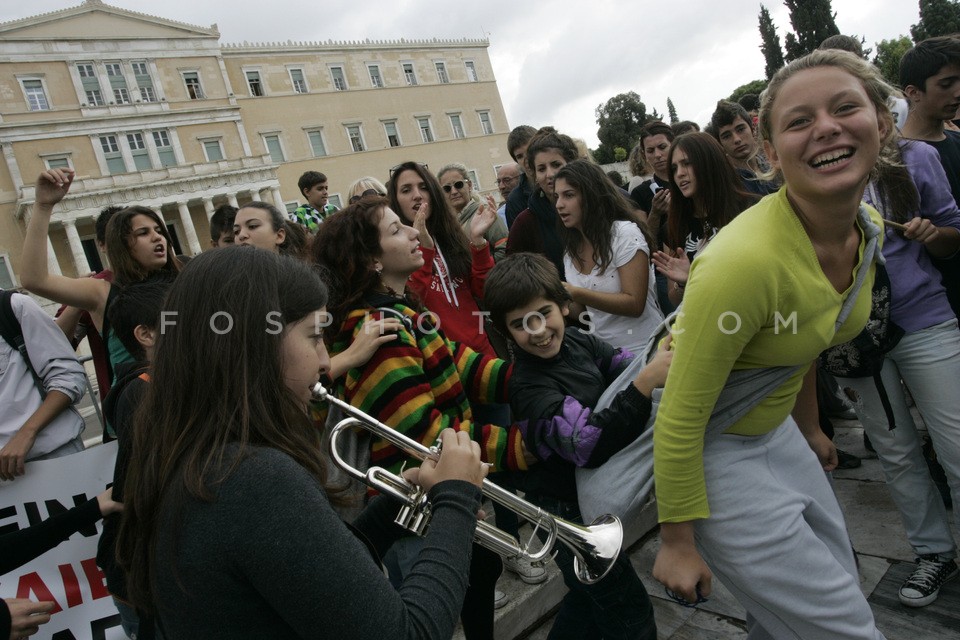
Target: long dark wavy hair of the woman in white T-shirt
<point>601,203</point>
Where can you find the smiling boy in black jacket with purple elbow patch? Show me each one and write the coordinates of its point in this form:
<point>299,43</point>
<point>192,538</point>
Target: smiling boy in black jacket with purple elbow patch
<point>558,376</point>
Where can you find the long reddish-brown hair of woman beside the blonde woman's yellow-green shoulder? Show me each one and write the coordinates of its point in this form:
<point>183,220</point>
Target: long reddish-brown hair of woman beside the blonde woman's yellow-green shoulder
<point>719,197</point>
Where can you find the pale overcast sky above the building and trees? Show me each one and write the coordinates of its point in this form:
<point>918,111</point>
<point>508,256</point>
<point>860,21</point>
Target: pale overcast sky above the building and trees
<point>556,61</point>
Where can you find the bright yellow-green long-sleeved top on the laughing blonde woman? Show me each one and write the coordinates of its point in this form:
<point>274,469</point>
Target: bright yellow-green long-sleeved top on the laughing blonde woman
<point>756,298</point>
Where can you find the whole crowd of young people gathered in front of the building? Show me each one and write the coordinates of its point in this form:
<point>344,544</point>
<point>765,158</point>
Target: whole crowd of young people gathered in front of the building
<point>802,249</point>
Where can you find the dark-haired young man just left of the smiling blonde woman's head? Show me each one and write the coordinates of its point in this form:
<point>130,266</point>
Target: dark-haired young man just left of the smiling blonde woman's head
<point>731,125</point>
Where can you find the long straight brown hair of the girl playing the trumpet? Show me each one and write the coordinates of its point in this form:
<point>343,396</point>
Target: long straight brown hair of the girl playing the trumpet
<point>212,388</point>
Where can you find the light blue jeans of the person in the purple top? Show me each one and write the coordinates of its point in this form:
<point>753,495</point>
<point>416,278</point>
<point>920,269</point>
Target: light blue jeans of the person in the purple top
<point>928,361</point>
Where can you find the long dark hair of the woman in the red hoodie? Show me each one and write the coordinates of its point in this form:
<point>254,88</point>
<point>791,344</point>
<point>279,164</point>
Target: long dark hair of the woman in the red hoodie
<point>442,225</point>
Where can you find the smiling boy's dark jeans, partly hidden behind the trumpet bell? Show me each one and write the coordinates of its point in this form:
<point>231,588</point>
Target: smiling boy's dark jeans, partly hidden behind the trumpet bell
<point>616,607</point>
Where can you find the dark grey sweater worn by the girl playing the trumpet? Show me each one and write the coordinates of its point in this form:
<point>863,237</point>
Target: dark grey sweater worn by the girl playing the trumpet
<point>269,558</point>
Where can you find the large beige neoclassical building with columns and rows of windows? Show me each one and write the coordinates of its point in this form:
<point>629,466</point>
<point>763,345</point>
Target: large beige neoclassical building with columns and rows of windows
<point>159,113</point>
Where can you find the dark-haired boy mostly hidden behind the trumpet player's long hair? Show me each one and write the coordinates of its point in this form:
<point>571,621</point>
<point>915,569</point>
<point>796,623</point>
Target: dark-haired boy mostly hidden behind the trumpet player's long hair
<point>135,317</point>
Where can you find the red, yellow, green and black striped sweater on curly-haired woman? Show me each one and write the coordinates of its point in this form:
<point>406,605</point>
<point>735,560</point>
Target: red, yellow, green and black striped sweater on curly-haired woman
<point>413,385</point>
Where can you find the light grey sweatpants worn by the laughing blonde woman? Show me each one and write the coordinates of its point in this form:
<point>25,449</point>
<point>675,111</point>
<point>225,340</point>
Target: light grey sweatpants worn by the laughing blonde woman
<point>776,538</point>
